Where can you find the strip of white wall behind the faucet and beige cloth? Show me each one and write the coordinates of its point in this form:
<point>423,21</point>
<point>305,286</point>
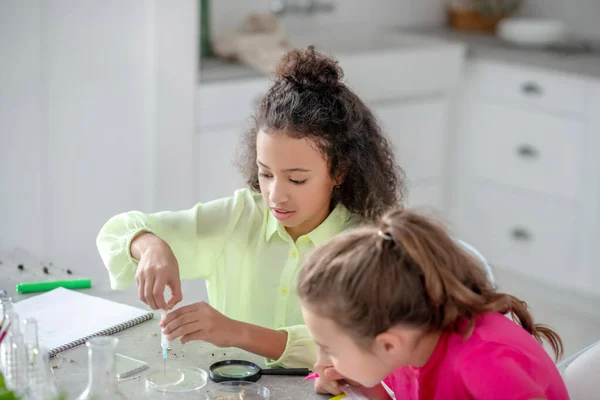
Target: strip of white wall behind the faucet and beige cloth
<point>228,14</point>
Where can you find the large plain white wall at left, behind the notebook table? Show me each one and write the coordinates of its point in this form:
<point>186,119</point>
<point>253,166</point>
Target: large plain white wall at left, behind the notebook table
<point>96,118</point>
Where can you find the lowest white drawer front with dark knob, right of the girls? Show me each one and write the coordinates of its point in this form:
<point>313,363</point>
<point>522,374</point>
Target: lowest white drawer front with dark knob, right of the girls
<point>531,235</point>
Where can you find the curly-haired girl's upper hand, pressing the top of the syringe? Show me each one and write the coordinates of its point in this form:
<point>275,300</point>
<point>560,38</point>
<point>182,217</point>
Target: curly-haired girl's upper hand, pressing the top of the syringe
<point>157,269</point>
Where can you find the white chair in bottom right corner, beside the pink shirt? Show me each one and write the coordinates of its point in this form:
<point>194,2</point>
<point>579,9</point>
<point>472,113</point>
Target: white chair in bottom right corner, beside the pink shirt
<point>580,373</point>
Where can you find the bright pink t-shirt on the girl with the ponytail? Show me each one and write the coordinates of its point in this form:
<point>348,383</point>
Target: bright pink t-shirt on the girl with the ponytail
<point>499,361</point>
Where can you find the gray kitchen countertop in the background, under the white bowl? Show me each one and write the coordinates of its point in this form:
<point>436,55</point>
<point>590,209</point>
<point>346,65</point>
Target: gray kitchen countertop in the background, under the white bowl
<point>480,47</point>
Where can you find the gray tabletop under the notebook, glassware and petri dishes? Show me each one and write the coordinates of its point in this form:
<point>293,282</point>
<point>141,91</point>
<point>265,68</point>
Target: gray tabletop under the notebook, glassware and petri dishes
<point>140,342</point>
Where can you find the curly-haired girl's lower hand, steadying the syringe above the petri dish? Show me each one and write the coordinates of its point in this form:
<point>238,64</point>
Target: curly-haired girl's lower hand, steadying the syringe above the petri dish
<point>199,321</point>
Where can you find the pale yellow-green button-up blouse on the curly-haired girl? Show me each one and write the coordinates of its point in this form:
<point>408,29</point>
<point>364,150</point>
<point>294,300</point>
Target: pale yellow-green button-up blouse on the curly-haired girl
<point>249,261</point>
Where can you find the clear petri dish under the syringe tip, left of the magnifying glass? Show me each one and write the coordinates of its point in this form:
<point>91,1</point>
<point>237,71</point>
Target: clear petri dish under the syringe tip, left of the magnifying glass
<point>178,380</point>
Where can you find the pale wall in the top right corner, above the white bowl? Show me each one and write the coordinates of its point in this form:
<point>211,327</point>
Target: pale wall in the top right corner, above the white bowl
<point>582,16</point>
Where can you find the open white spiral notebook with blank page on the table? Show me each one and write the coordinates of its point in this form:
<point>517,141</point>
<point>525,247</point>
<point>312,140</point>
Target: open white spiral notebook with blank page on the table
<point>67,318</point>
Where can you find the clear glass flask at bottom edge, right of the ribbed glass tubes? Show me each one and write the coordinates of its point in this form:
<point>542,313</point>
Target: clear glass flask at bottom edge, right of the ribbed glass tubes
<point>102,376</point>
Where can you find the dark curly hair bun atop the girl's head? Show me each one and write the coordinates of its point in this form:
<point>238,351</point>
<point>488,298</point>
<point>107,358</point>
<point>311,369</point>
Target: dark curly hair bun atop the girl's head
<point>309,68</point>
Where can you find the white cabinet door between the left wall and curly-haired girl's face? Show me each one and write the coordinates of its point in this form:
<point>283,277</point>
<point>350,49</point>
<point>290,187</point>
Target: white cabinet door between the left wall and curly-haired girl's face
<point>217,174</point>
